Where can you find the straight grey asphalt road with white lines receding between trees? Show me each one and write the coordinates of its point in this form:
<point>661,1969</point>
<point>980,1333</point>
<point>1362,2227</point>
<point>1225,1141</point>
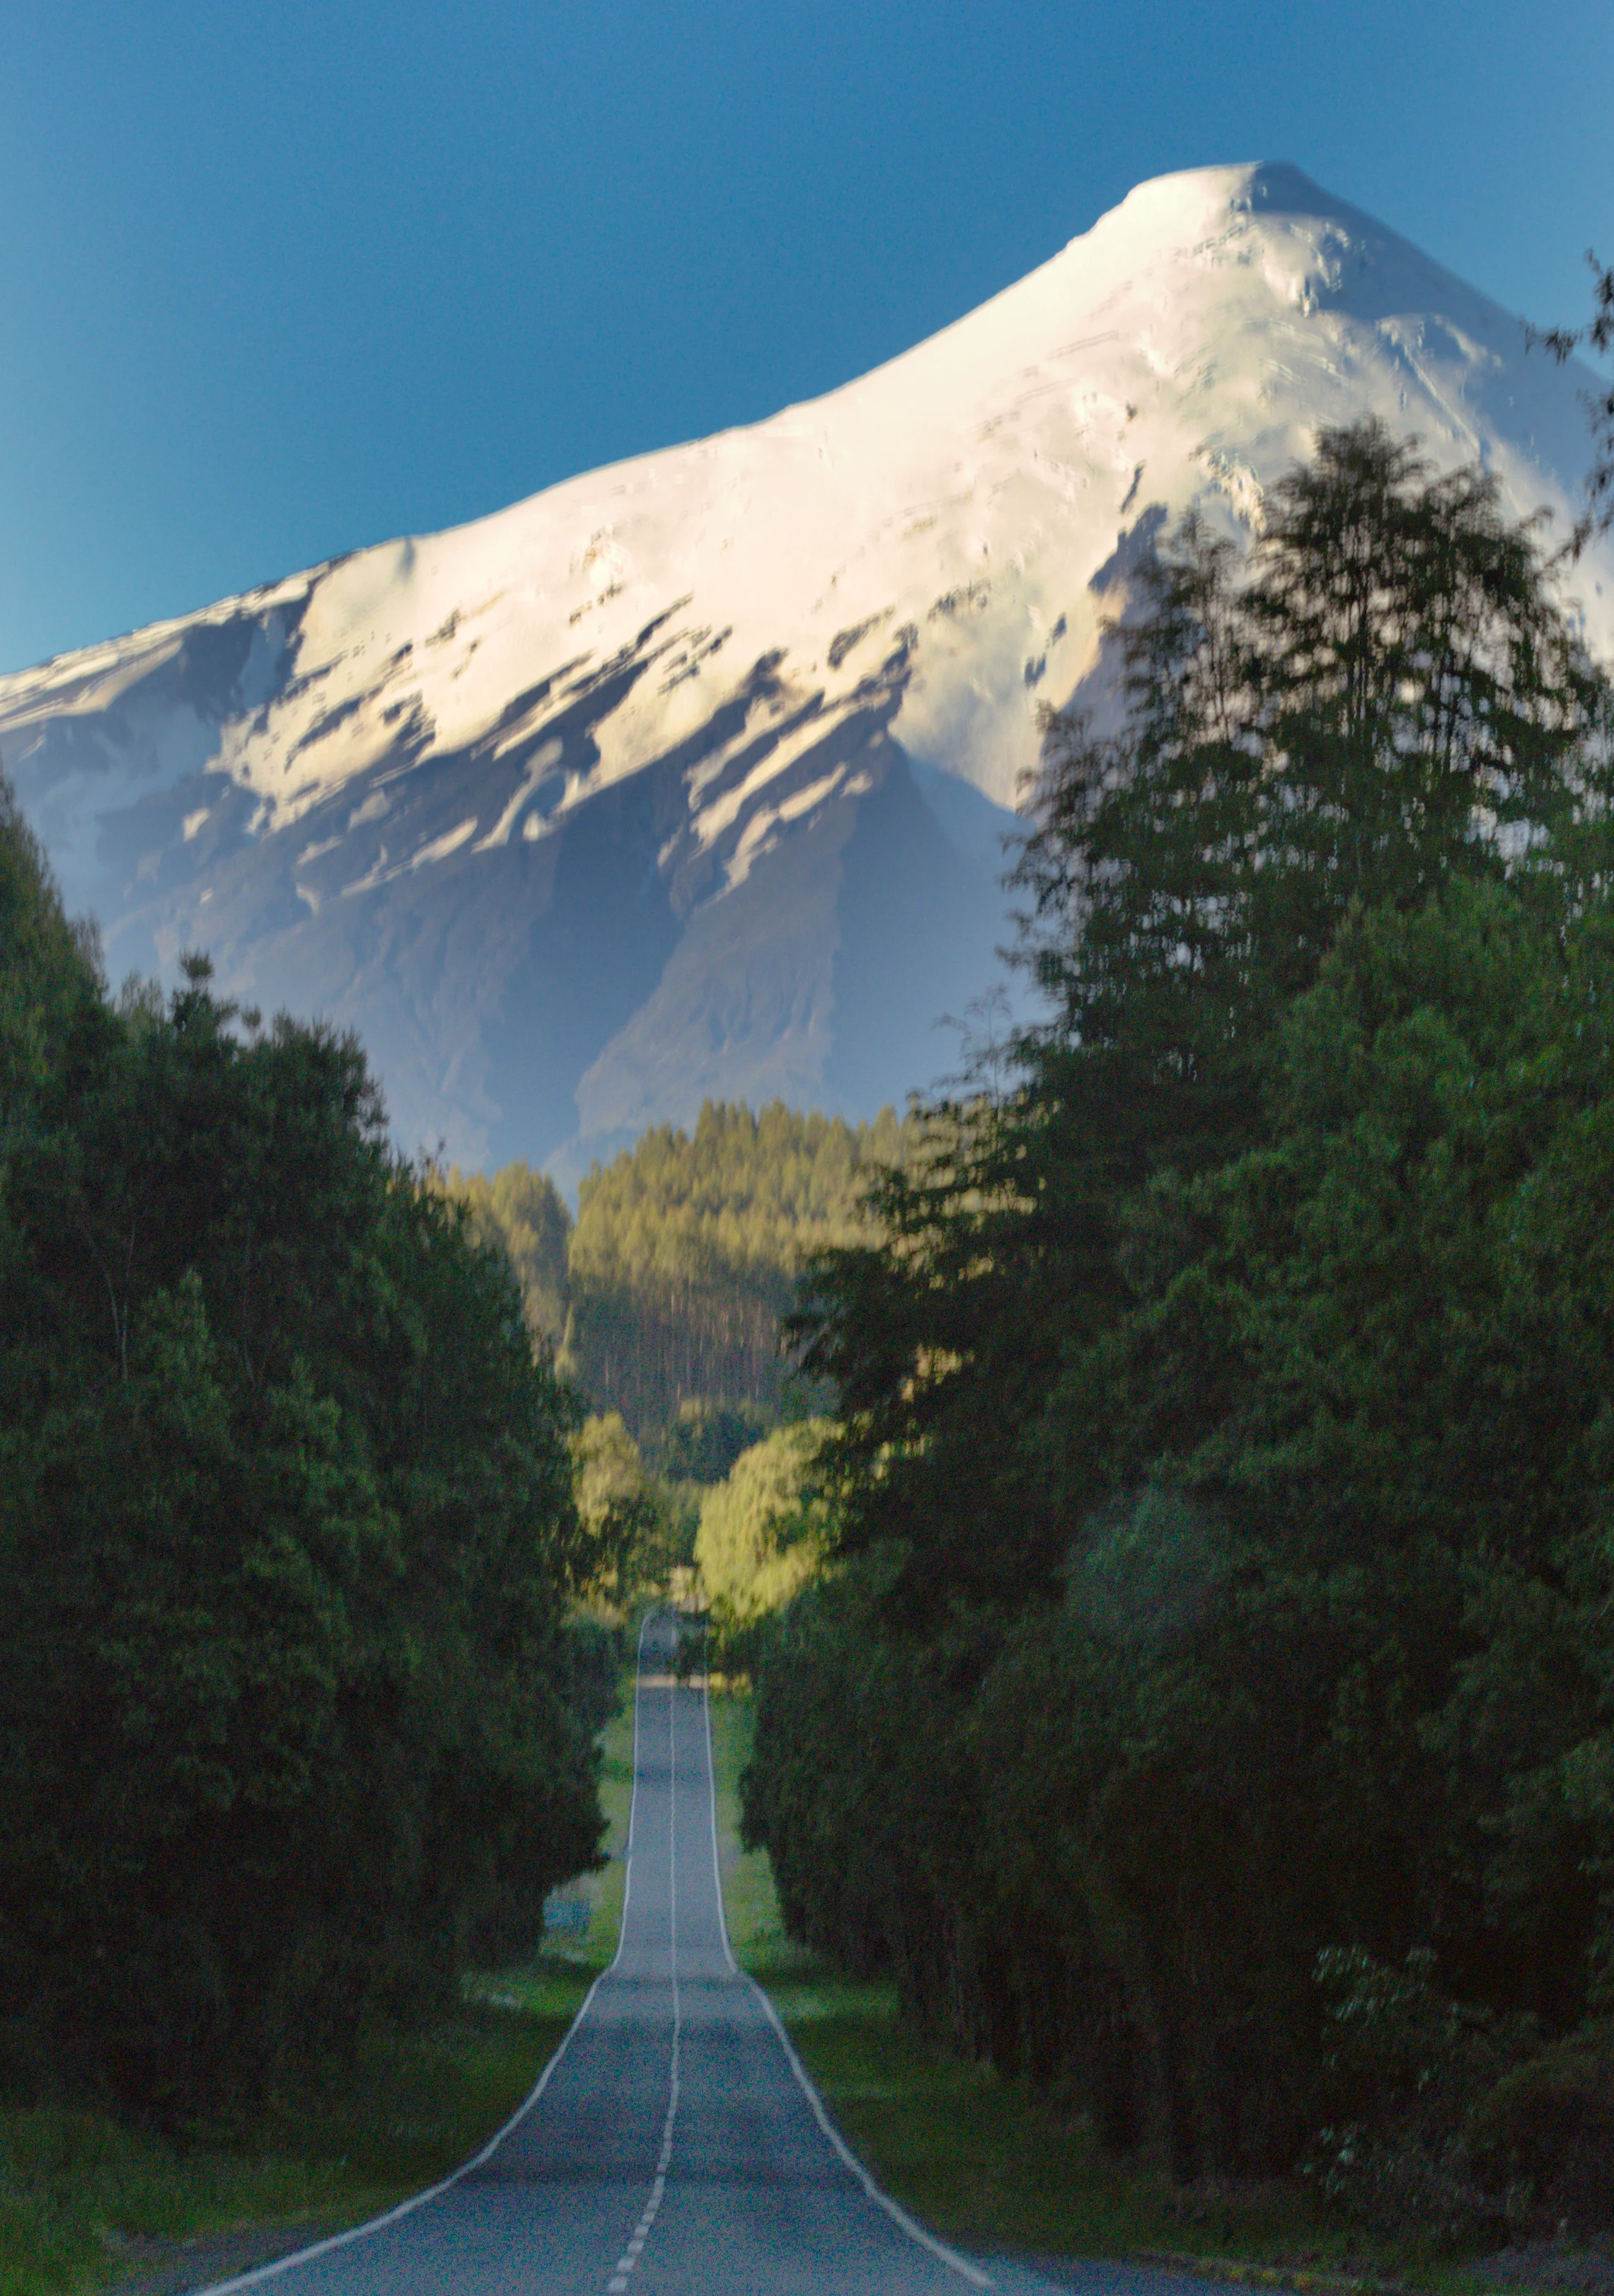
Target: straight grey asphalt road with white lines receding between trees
<point>674,2143</point>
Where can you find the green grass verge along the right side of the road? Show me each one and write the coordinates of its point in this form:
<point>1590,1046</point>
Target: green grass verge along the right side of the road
<point>988,2162</point>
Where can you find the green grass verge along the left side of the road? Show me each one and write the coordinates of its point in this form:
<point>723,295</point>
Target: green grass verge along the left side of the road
<point>91,2203</point>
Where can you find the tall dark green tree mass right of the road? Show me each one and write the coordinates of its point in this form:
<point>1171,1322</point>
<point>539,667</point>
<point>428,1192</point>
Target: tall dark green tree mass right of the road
<point>1211,1702</point>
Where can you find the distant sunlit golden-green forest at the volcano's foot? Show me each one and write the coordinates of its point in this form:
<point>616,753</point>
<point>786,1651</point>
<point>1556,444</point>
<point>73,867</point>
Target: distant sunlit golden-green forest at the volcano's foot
<point>672,1287</point>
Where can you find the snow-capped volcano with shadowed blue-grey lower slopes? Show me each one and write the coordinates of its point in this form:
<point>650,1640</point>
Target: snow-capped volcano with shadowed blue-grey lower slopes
<point>683,777</point>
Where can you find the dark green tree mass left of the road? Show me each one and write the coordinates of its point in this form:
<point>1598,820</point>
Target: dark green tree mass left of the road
<point>293,1716</point>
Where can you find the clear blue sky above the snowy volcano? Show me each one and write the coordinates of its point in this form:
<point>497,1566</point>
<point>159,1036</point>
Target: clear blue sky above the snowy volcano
<point>286,279</point>
